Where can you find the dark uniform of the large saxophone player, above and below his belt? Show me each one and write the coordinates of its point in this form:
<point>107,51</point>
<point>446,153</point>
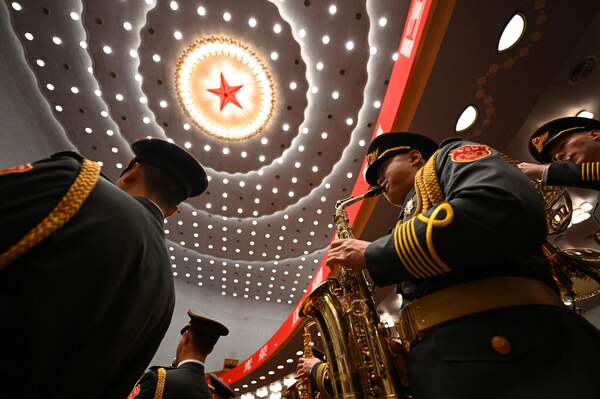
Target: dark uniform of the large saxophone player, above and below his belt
<point>487,222</point>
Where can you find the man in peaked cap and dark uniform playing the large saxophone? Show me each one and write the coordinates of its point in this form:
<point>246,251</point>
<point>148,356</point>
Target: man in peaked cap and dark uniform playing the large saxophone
<point>484,317</point>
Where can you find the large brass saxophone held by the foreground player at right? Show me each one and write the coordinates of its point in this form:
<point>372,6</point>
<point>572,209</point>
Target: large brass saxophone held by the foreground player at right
<point>359,359</point>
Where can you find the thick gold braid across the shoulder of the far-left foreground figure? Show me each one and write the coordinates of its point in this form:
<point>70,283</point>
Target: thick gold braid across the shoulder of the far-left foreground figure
<point>66,208</point>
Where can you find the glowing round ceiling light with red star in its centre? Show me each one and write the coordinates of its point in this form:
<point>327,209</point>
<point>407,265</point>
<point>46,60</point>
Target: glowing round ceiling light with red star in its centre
<point>225,88</point>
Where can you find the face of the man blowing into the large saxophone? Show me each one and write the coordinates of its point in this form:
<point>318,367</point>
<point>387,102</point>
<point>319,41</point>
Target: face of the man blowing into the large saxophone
<point>397,176</point>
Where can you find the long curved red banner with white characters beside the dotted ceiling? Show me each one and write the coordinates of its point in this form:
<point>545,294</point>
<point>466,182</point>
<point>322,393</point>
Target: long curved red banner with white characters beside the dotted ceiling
<point>411,38</point>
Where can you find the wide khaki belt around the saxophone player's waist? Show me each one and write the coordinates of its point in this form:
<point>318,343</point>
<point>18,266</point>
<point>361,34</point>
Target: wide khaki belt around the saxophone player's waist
<point>467,299</point>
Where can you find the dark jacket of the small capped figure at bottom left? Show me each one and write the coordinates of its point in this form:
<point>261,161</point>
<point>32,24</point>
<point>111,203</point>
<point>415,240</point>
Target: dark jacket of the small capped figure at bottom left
<point>185,382</point>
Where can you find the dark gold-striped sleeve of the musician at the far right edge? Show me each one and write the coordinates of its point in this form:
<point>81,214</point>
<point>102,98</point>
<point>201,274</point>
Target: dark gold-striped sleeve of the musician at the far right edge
<point>585,175</point>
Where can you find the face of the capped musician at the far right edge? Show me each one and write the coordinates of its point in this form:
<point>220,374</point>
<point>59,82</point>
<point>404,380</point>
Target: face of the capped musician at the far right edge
<point>577,148</point>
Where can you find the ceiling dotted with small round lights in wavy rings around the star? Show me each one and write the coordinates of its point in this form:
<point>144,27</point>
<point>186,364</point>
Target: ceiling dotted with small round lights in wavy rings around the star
<point>107,70</point>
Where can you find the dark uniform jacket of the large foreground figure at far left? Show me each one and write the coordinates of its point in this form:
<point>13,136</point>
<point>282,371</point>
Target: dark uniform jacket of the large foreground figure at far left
<point>83,312</point>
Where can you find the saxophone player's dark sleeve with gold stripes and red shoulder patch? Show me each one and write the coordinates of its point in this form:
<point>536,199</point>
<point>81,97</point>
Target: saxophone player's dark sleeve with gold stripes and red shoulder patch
<point>484,208</point>
